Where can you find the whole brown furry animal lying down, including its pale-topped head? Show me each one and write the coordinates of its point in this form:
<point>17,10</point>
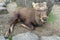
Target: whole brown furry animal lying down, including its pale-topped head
<point>30,17</point>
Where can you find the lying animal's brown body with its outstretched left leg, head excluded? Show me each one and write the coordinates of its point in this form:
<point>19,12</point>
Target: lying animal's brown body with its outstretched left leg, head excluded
<point>27,16</point>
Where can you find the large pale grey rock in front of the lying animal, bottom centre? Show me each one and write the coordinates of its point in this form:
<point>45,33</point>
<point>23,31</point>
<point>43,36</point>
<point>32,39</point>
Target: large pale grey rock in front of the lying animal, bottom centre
<point>26,36</point>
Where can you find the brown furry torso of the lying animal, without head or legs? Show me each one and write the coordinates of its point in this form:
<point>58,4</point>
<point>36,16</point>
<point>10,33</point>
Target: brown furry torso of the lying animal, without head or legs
<point>28,16</point>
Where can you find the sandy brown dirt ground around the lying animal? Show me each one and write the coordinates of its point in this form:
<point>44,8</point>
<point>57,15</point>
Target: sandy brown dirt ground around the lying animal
<point>47,30</point>
